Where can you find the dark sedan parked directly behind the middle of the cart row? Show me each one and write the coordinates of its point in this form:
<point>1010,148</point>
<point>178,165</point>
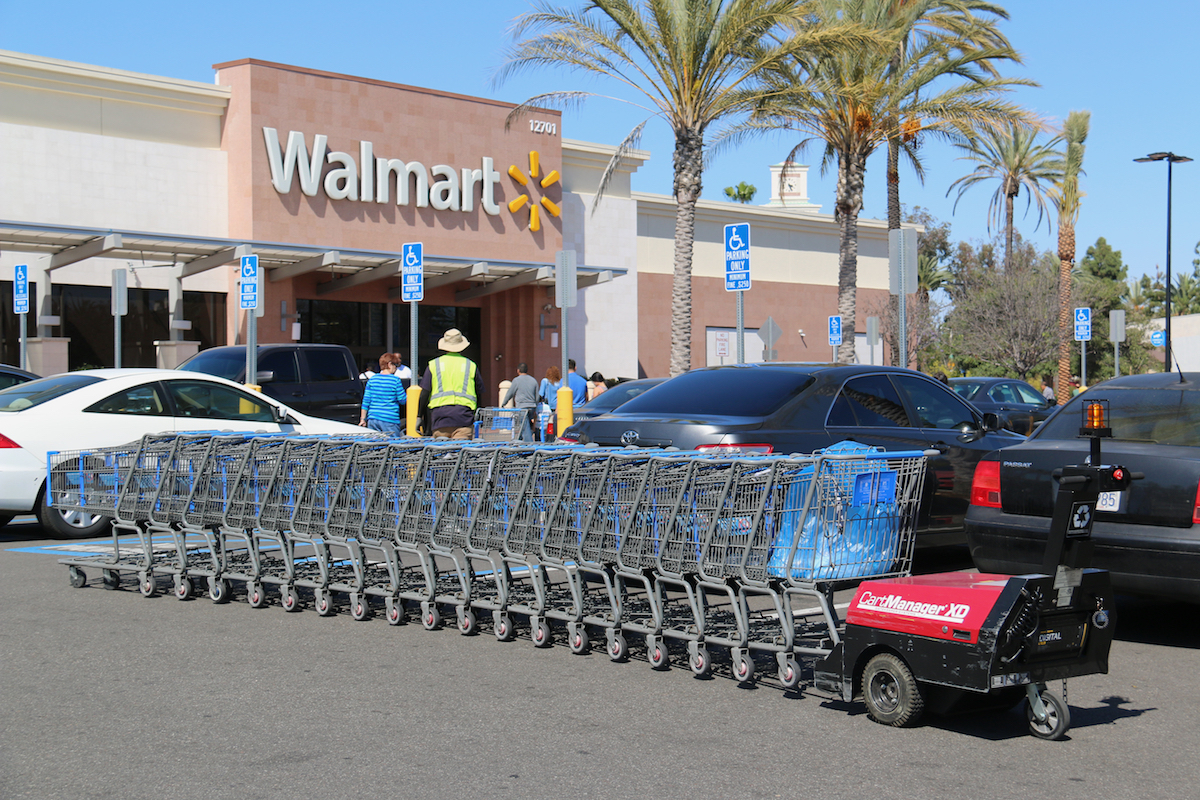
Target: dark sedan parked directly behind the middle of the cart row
<point>799,408</point>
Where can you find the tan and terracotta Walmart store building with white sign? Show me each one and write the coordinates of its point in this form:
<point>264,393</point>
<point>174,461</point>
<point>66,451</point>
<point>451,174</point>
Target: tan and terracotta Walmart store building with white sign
<point>325,177</point>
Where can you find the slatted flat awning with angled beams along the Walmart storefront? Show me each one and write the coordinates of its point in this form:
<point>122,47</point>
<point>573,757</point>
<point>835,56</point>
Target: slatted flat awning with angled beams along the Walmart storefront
<point>346,268</point>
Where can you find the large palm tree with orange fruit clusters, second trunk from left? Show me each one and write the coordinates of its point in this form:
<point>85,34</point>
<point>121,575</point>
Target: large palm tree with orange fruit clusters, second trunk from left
<point>850,100</point>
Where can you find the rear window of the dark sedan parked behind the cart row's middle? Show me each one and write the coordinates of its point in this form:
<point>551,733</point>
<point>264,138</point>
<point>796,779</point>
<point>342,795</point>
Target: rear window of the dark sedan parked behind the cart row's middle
<point>722,393</point>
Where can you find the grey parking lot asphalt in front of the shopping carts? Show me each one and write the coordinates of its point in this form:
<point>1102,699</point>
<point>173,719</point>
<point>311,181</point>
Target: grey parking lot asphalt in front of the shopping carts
<point>109,694</point>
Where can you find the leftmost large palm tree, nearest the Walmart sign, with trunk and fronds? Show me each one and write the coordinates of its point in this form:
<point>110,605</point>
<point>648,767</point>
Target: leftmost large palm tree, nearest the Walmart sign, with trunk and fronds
<point>692,62</point>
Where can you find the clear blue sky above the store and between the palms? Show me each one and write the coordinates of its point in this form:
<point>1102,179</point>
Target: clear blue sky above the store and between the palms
<point>1133,73</point>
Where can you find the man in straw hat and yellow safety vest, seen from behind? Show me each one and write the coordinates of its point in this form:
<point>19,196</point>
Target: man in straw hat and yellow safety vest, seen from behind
<point>453,389</point>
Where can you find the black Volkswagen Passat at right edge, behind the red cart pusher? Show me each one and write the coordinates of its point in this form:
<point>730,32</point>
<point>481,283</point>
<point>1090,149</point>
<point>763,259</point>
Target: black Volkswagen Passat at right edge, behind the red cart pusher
<point>1149,536</point>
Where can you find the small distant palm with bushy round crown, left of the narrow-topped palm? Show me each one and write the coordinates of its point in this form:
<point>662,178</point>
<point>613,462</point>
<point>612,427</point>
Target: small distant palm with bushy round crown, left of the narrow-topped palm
<point>1016,159</point>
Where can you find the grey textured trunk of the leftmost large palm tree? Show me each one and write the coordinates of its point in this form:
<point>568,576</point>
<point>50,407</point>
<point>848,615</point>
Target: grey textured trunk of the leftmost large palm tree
<point>689,166</point>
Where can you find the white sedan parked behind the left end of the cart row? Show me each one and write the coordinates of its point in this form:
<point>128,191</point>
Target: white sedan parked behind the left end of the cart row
<point>101,408</point>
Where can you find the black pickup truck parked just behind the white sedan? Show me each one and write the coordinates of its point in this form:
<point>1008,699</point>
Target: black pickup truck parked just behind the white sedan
<point>315,380</point>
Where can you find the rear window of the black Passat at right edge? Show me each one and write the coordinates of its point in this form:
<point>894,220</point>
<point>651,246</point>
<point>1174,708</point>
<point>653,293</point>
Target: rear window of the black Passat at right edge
<point>1166,417</point>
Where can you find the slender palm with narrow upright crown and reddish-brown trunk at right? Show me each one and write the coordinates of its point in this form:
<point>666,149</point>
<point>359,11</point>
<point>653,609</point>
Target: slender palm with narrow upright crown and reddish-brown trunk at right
<point>1067,199</point>
